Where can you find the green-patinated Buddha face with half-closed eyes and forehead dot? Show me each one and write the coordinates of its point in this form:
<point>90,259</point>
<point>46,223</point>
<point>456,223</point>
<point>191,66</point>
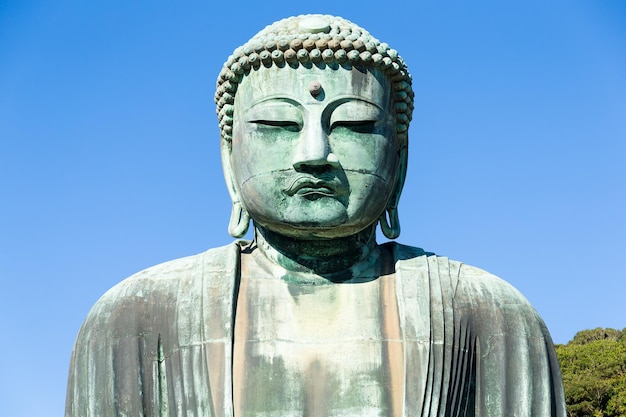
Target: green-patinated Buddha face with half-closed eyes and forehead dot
<point>314,151</point>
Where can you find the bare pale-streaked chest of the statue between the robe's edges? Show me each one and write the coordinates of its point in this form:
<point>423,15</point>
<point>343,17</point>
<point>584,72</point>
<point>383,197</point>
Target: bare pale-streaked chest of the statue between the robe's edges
<point>313,350</point>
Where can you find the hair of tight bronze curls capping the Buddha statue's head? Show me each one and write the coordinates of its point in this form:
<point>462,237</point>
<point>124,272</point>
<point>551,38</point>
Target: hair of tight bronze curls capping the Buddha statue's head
<point>313,40</point>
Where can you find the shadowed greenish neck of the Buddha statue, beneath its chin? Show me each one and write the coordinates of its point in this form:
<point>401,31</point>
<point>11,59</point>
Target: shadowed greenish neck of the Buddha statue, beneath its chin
<point>321,256</point>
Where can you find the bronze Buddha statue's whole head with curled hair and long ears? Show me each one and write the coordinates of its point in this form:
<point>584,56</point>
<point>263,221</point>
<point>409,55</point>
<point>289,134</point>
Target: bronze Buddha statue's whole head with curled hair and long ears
<point>314,115</point>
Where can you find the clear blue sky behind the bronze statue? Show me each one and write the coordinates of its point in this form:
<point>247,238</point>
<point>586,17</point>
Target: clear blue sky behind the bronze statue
<point>109,153</point>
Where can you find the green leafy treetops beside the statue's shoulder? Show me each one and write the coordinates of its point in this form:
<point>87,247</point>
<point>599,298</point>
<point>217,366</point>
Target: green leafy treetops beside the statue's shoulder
<point>593,365</point>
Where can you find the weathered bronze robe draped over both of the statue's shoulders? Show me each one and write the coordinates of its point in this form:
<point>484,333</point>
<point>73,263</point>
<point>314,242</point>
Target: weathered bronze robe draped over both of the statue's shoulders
<point>160,343</point>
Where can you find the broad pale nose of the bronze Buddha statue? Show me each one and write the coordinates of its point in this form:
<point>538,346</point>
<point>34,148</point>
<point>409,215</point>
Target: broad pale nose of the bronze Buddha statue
<point>313,151</point>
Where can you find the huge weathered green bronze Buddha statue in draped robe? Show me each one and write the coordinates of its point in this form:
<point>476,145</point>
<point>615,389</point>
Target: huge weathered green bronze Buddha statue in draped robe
<point>313,317</point>
